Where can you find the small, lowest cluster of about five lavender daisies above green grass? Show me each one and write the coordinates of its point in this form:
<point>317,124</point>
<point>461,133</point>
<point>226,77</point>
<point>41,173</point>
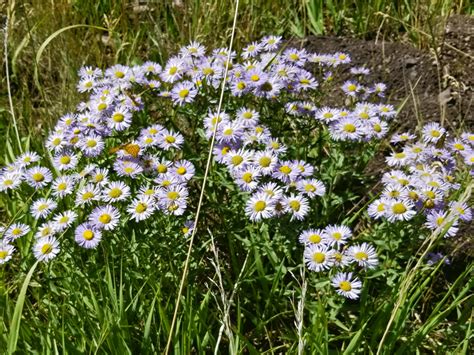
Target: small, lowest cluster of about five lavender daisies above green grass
<point>326,250</point>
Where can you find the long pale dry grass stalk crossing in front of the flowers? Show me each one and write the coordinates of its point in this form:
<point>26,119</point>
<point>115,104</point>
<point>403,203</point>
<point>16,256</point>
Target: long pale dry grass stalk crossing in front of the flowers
<point>203,187</point>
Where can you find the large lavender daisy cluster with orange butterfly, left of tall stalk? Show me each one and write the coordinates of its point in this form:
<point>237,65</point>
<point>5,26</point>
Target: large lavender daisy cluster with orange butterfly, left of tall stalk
<point>100,176</point>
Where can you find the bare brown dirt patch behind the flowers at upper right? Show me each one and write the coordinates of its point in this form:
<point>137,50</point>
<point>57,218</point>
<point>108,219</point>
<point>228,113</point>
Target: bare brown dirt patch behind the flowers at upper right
<point>443,84</point>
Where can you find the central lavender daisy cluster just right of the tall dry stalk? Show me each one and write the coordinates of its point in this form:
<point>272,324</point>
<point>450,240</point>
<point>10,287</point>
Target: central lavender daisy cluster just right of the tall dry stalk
<point>254,158</point>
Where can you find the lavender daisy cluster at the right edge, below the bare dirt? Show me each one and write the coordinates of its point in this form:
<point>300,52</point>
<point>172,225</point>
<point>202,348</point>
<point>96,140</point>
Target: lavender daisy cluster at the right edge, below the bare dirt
<point>425,173</point>
